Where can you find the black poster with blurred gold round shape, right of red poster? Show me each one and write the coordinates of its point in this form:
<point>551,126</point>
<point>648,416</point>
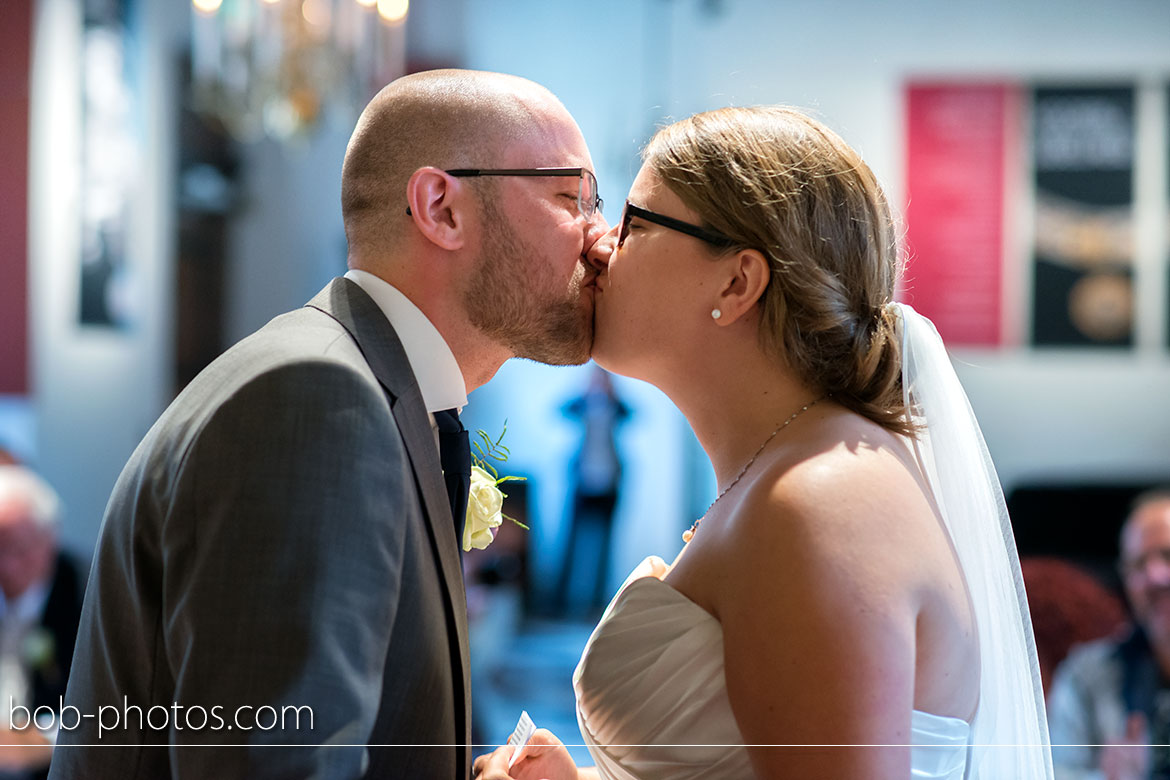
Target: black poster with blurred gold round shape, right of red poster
<point>1083,153</point>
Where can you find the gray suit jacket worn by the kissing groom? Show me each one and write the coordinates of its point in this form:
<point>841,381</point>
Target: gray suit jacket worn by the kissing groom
<point>280,540</point>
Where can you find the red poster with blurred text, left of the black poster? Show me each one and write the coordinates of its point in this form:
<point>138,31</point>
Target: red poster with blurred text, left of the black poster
<point>959,144</point>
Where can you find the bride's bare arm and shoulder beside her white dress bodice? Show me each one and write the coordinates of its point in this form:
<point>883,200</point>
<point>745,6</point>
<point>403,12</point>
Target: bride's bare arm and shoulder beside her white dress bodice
<point>818,624</point>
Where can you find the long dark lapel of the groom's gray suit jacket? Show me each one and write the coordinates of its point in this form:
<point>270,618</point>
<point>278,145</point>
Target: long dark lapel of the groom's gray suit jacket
<point>347,303</point>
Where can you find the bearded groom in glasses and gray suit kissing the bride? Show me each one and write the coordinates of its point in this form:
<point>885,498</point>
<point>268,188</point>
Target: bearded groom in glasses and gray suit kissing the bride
<point>279,563</point>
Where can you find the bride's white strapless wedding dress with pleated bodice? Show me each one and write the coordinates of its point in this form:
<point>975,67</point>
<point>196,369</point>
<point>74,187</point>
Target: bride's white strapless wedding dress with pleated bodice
<point>652,699</point>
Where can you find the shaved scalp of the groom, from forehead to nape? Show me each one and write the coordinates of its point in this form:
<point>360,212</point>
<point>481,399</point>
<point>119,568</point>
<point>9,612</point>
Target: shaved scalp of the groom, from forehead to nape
<point>442,119</point>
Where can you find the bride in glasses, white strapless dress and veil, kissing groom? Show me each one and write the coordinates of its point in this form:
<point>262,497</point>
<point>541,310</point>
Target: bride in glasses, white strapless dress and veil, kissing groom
<point>851,605</point>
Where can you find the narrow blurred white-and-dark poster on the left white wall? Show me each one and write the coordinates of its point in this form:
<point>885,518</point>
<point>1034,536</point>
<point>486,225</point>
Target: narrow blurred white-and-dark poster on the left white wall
<point>111,162</point>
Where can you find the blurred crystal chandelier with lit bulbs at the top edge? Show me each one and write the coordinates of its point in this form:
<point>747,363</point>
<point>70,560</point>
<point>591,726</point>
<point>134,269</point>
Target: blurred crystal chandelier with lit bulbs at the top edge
<point>277,68</point>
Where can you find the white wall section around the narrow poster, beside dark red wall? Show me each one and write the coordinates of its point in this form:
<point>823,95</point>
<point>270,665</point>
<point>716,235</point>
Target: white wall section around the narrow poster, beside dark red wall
<point>97,391</point>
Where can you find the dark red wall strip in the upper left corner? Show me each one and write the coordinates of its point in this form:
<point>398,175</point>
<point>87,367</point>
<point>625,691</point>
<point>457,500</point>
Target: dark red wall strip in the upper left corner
<point>16,45</point>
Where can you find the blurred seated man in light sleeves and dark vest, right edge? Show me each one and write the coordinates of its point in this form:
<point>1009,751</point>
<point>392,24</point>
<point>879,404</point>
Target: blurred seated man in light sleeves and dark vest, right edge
<point>1111,700</point>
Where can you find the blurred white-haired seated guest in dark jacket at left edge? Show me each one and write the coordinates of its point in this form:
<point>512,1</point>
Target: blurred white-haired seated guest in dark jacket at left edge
<point>40,605</point>
